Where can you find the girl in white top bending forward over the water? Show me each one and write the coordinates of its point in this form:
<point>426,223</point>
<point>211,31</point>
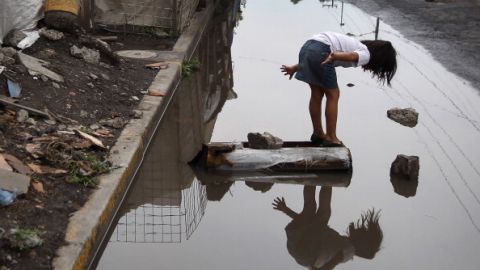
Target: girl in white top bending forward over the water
<point>316,66</point>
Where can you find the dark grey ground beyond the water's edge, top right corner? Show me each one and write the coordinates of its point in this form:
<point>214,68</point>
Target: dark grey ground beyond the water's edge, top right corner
<point>449,29</point>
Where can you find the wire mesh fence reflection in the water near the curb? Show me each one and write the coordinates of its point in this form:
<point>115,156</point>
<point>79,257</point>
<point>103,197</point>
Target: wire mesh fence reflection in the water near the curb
<point>168,218</point>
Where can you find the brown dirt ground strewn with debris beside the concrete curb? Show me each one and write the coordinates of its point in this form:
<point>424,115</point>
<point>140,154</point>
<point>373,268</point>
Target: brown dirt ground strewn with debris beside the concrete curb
<point>97,99</point>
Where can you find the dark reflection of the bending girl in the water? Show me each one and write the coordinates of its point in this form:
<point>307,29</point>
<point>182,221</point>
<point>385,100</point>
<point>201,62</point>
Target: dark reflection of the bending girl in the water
<point>315,245</point>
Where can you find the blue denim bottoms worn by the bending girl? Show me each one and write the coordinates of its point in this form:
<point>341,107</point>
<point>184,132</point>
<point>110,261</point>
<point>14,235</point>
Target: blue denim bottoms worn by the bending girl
<point>310,68</point>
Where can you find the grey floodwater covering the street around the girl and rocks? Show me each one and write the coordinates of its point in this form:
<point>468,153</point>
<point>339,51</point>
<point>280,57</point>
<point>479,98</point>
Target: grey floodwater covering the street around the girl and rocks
<point>172,221</point>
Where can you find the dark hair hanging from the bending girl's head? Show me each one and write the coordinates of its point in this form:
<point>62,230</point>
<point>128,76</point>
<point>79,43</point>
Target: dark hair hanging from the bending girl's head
<point>383,60</point>
